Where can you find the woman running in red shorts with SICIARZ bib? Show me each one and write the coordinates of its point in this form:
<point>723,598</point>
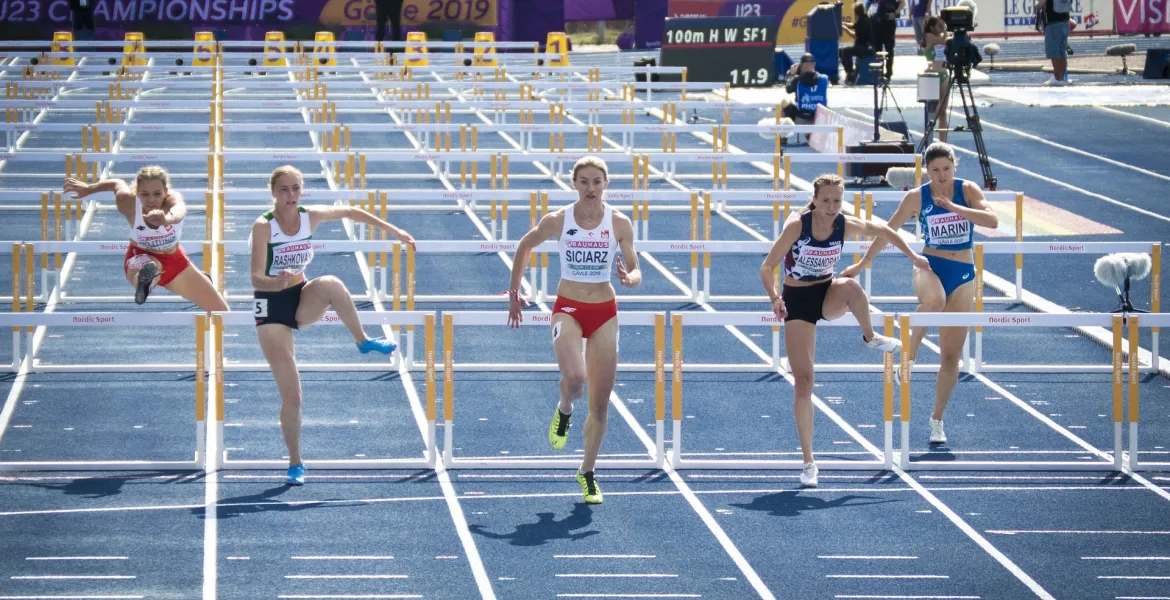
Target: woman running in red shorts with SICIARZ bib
<point>590,236</point>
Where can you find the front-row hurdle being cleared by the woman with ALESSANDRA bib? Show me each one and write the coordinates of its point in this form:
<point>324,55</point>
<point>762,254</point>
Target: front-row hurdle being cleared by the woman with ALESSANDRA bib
<point>680,321</point>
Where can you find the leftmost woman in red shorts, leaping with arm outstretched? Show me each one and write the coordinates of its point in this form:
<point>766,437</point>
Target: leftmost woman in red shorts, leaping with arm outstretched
<point>155,258</point>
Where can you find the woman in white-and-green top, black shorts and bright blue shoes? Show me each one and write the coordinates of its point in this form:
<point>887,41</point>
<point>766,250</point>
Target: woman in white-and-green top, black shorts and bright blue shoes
<point>285,299</point>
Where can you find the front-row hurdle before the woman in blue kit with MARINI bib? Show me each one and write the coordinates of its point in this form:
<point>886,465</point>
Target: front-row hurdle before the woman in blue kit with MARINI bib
<point>1014,320</point>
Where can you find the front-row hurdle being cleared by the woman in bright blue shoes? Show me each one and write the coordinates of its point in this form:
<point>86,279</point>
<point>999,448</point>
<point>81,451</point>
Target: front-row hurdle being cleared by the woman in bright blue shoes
<point>429,460</point>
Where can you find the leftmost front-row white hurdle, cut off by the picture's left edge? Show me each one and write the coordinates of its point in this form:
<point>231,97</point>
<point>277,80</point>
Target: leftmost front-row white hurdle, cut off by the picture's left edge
<point>115,320</point>
